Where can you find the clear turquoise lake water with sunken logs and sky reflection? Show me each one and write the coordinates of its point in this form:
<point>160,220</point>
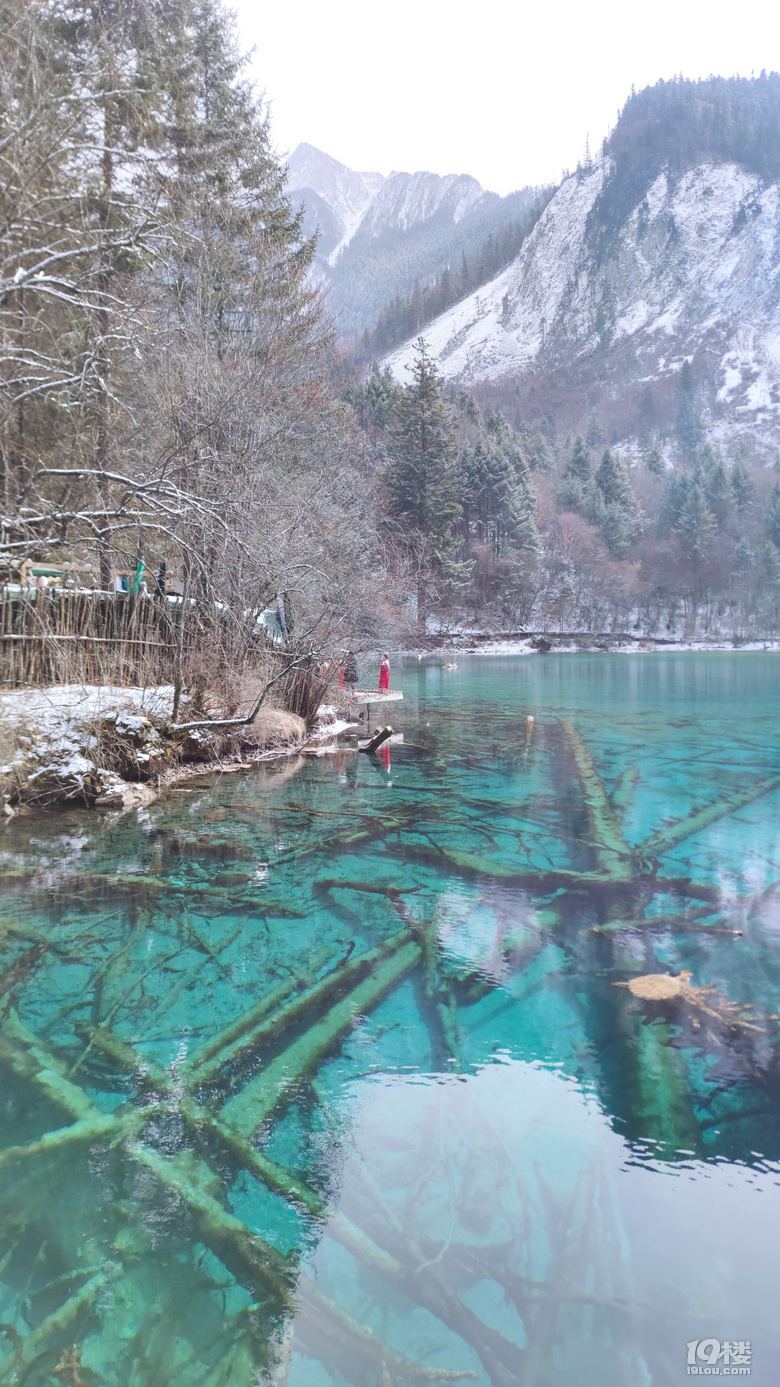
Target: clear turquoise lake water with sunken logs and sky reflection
<point>330,1073</point>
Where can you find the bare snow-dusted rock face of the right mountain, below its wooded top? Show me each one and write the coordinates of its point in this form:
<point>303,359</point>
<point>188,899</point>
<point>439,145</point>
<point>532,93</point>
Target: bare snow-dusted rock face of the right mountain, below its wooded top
<point>690,274</point>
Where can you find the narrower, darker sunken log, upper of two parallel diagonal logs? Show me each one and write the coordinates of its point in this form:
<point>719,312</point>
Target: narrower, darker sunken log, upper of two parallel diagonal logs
<point>259,1024</point>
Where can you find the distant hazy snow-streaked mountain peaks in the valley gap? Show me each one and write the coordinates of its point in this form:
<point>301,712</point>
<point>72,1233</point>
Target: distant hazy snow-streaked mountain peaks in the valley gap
<point>378,234</point>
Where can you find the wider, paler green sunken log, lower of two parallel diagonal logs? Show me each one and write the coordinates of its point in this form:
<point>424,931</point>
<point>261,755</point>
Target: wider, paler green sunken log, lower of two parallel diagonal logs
<point>255,1103</point>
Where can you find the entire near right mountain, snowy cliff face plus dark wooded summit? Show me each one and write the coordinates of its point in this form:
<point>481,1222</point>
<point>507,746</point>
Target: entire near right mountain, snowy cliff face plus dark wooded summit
<point>663,255</point>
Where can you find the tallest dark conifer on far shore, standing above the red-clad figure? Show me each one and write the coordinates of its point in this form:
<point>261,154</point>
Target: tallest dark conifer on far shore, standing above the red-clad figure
<point>424,482</point>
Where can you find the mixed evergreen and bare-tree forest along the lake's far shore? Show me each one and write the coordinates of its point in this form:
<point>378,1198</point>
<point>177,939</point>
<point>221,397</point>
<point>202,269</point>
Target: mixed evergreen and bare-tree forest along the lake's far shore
<point>513,528</point>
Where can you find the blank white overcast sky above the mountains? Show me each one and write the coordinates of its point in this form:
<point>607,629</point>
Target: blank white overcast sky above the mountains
<point>503,91</point>
